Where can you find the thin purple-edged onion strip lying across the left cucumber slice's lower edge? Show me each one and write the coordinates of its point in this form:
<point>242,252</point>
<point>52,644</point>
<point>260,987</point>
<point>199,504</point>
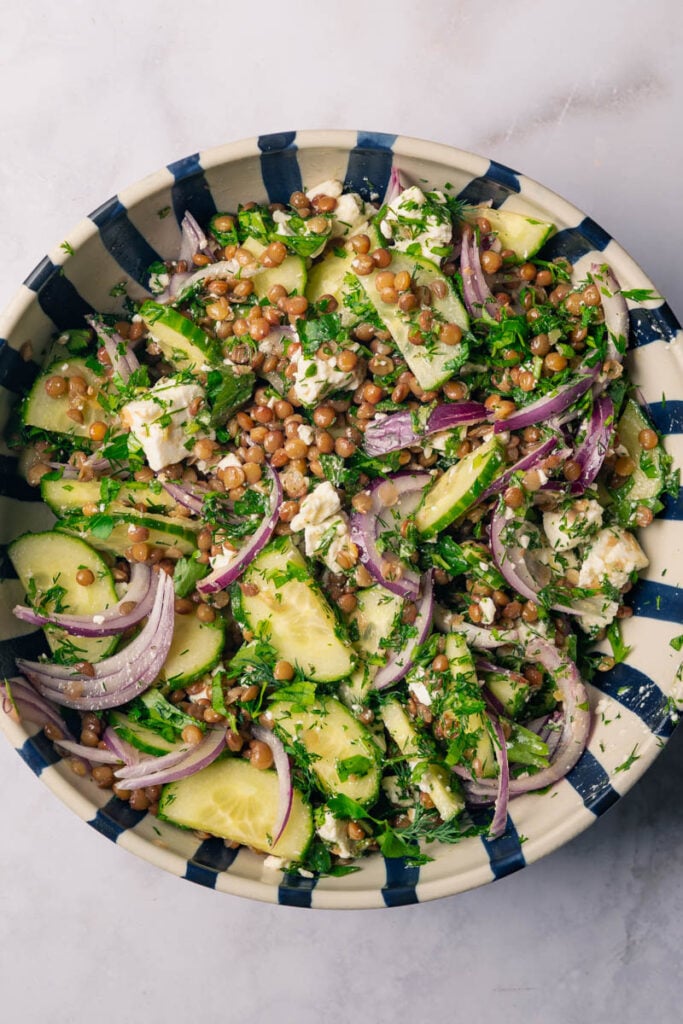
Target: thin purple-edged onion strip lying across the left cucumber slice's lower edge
<point>110,622</point>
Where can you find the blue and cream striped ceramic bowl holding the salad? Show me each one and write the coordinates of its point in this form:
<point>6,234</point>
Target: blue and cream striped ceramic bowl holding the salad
<point>632,704</point>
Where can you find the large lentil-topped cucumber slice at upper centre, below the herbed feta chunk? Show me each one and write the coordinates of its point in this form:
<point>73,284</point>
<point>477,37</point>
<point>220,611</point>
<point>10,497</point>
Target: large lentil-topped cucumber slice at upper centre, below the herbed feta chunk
<point>431,362</point>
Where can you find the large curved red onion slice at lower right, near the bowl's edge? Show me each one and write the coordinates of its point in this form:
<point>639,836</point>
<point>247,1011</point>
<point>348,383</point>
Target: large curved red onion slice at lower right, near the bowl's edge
<point>576,724</point>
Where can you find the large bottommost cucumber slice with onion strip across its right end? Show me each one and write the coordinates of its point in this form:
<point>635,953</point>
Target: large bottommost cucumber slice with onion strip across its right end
<point>238,802</point>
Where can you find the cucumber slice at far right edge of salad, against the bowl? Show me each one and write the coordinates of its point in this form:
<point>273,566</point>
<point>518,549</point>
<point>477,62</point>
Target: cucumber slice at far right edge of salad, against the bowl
<point>649,479</point>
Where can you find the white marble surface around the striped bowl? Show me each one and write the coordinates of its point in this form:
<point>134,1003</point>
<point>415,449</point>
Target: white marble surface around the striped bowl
<point>584,97</point>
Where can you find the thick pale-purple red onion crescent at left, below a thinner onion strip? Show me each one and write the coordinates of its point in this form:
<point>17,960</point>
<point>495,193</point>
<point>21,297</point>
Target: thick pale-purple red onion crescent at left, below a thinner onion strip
<point>120,678</point>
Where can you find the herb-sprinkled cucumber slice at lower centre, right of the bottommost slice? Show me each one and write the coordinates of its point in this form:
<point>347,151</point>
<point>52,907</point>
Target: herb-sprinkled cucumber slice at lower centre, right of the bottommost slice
<point>335,739</point>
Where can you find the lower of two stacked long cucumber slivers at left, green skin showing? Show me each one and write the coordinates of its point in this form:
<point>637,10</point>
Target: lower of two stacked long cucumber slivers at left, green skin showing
<point>113,535</point>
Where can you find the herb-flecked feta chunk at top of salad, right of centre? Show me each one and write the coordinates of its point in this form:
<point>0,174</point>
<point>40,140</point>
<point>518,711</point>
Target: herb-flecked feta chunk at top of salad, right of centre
<point>414,219</point>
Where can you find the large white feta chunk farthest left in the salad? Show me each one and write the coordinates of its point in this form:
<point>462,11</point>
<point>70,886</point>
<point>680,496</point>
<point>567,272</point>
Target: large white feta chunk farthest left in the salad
<point>160,422</point>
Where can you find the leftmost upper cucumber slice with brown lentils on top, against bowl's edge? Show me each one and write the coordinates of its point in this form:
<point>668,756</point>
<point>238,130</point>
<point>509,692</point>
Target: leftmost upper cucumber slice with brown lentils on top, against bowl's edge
<point>41,411</point>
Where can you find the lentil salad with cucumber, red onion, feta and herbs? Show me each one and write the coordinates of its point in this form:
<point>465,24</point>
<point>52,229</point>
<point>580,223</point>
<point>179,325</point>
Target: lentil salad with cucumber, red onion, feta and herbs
<point>343,511</point>
